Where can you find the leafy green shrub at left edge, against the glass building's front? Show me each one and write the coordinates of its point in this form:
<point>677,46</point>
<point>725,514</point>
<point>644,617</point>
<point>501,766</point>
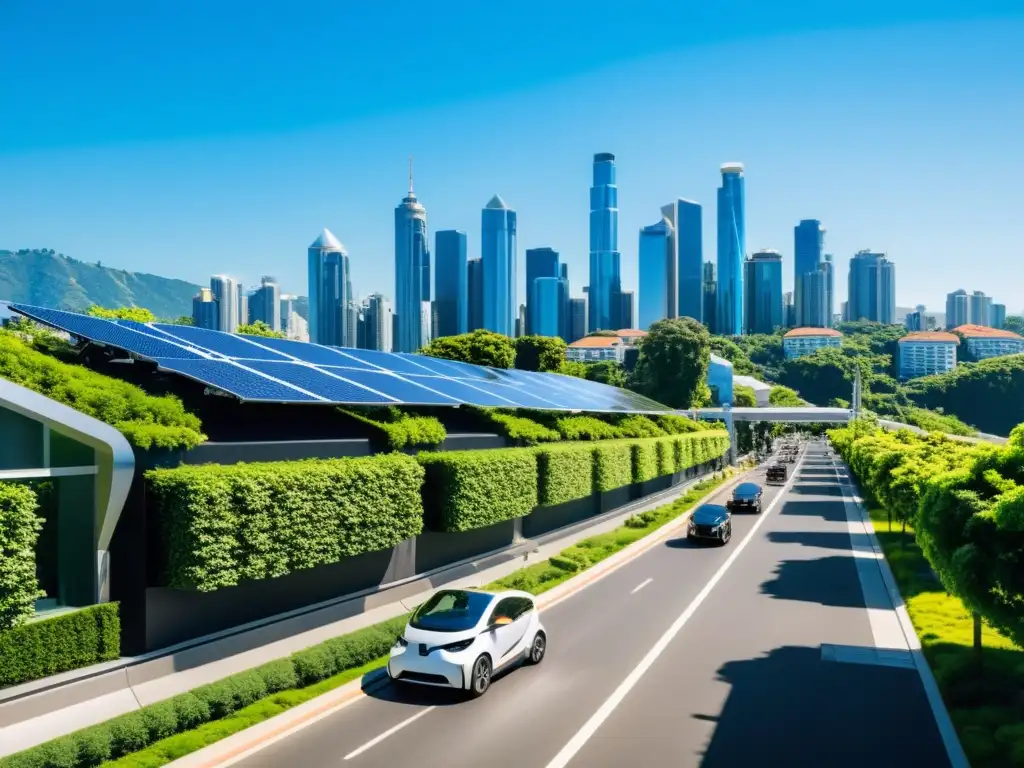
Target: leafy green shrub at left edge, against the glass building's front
<point>20,529</point>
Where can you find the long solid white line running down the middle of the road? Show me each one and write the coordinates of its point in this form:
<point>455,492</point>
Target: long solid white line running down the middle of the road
<point>598,719</point>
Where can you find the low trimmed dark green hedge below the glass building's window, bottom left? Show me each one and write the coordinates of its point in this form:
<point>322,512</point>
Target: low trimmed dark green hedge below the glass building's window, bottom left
<point>68,642</point>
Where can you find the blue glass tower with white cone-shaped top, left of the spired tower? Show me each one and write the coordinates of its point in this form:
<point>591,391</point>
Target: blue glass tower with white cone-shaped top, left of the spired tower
<point>330,287</point>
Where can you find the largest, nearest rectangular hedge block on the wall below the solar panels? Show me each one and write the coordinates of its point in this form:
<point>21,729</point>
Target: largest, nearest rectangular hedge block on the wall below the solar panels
<point>225,525</point>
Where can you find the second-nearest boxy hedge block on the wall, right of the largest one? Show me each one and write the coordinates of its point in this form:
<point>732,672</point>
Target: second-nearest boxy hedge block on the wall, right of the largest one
<point>474,489</point>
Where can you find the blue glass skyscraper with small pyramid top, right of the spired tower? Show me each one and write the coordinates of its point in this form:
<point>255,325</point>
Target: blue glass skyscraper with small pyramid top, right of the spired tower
<point>498,252</point>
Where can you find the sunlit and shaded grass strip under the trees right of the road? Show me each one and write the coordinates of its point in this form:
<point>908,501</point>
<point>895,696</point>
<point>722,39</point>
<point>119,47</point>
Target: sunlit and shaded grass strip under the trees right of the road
<point>982,693</point>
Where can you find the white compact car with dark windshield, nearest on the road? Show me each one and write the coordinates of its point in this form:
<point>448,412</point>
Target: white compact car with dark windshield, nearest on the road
<point>460,638</point>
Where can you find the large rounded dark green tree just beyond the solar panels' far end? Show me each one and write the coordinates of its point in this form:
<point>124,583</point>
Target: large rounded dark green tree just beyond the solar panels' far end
<point>673,363</point>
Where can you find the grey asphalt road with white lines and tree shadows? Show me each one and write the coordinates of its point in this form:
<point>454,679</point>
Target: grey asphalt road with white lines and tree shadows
<point>747,678</point>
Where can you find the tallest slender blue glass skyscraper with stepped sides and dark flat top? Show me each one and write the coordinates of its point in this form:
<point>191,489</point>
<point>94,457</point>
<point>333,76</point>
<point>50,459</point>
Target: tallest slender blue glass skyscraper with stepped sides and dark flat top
<point>606,277</point>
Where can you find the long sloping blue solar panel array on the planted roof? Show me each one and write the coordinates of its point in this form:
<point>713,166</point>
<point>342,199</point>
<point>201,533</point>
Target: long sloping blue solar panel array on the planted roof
<point>265,370</point>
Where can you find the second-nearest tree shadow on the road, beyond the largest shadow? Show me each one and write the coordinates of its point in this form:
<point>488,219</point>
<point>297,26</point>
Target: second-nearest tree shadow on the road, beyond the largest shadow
<point>828,581</point>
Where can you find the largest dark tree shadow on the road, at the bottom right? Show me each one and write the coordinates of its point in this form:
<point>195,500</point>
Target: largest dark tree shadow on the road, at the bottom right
<point>791,709</point>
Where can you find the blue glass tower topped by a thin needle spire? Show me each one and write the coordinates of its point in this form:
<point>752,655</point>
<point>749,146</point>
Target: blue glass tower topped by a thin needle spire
<point>412,270</point>
